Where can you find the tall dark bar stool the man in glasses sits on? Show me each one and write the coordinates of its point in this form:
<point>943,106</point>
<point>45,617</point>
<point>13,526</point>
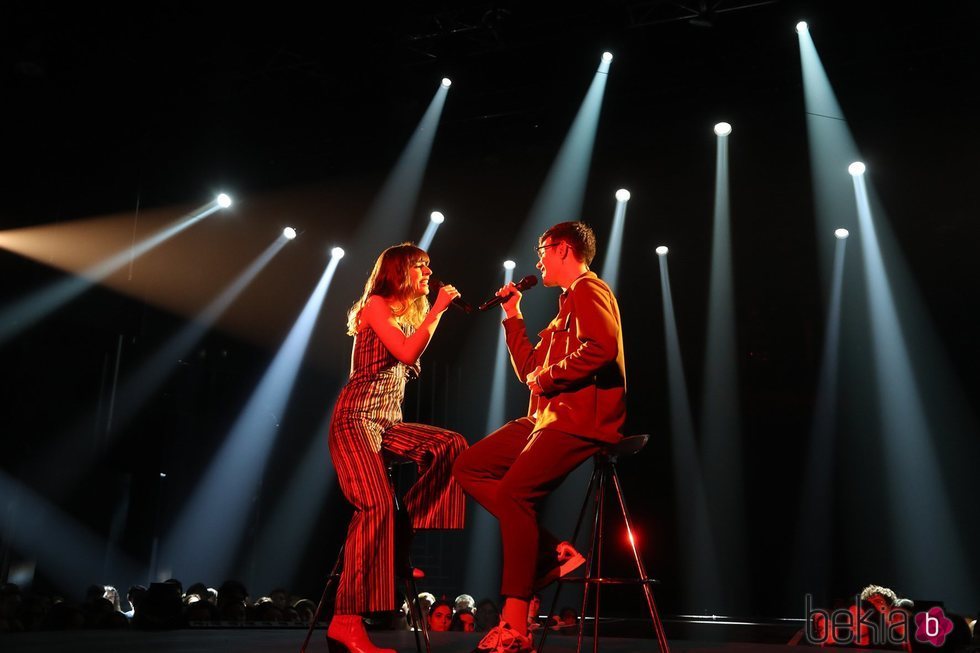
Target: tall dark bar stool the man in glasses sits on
<point>604,473</point>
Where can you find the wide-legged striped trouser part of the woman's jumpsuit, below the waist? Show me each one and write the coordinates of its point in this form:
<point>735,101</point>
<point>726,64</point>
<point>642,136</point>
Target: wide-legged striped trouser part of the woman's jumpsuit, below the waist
<point>435,501</point>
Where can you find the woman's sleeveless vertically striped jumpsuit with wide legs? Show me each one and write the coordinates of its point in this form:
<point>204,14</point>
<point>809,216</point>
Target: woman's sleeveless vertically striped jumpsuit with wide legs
<point>366,422</point>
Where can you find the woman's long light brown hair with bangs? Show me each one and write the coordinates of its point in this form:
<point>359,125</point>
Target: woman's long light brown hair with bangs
<point>390,280</point>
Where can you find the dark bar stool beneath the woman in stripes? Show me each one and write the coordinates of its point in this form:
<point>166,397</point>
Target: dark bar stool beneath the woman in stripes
<point>405,572</point>
